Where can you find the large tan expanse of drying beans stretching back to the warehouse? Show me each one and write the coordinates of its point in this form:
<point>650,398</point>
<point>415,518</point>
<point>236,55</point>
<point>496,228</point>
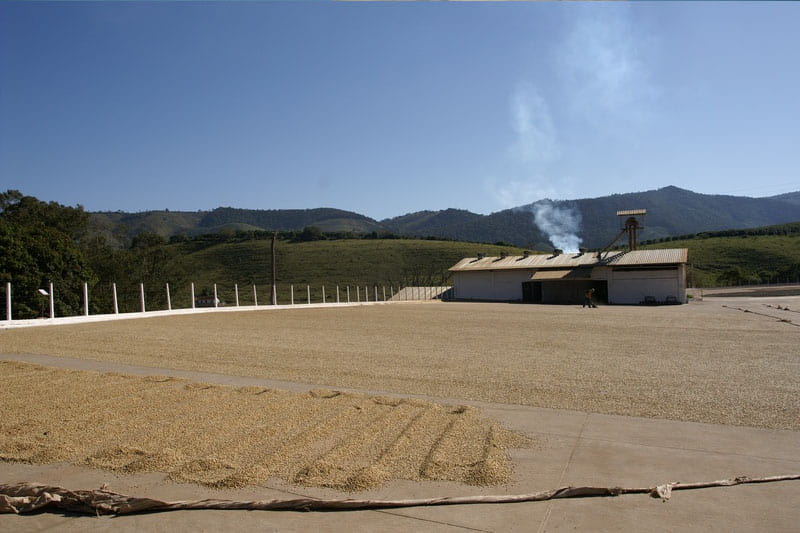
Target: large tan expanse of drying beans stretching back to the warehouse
<point>700,362</point>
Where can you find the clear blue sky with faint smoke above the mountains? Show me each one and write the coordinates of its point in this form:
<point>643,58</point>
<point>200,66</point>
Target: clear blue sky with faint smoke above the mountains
<point>390,108</point>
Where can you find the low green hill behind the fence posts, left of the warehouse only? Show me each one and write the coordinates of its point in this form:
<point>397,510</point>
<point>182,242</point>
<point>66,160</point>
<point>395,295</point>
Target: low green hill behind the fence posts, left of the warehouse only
<point>362,262</point>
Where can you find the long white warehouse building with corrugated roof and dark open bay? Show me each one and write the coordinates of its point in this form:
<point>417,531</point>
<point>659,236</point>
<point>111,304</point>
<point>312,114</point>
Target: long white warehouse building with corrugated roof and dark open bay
<point>632,277</point>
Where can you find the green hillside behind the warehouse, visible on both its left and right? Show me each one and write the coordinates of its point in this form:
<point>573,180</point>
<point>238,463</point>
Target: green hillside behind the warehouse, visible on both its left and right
<point>714,260</point>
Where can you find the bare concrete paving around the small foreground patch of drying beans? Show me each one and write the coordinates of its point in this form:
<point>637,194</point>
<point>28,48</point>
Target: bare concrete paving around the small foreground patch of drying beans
<point>570,448</point>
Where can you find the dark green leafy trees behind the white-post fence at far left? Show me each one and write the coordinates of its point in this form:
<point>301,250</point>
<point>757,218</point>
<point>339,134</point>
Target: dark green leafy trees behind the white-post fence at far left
<point>44,242</point>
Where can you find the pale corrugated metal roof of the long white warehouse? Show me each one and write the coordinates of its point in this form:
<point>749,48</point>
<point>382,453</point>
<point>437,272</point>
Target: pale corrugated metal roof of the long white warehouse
<point>637,257</point>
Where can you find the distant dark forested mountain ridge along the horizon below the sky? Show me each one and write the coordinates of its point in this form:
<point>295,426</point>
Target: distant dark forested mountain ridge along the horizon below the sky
<point>671,211</point>
